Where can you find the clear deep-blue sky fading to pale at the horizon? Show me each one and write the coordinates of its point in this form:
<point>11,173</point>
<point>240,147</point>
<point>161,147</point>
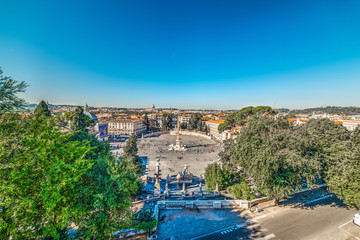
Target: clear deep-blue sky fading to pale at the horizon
<point>184,53</point>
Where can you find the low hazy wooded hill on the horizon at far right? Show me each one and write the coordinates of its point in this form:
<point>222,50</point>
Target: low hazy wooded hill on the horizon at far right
<point>328,110</point>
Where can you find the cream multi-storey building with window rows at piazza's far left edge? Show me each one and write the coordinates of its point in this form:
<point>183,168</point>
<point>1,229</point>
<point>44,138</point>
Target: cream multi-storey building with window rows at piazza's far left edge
<point>126,126</point>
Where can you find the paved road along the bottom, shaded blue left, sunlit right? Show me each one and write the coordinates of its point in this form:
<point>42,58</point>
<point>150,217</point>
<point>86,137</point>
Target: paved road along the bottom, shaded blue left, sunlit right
<point>311,216</point>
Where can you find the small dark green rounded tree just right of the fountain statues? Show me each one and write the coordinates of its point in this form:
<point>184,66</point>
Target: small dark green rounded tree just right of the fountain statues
<point>215,175</point>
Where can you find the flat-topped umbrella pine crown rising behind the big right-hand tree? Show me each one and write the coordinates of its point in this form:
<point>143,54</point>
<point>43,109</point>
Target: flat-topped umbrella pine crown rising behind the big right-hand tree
<point>244,115</point>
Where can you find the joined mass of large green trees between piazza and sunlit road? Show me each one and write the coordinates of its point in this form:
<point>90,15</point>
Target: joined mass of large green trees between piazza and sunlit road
<point>279,158</point>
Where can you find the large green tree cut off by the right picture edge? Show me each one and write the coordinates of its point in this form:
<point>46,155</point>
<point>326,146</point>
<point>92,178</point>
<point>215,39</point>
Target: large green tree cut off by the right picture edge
<point>338,150</point>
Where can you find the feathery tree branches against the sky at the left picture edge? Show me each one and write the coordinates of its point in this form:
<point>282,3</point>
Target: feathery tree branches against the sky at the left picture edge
<point>8,90</point>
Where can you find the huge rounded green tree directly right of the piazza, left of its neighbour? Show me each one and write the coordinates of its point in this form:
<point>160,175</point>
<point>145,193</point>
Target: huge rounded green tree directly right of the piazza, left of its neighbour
<point>269,151</point>
